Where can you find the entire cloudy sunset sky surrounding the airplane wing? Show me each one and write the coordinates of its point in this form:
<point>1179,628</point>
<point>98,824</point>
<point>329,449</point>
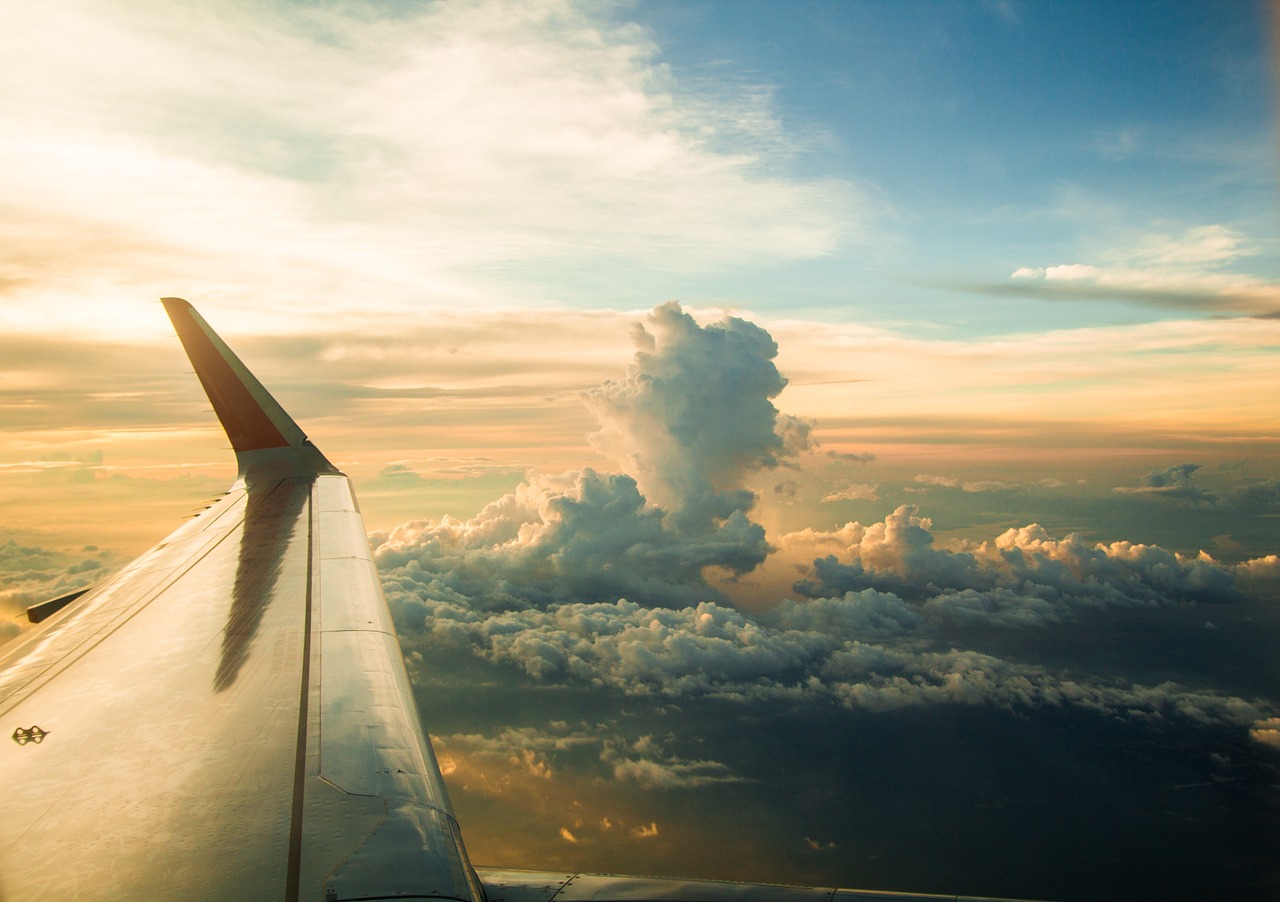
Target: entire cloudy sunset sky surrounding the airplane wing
<point>840,429</point>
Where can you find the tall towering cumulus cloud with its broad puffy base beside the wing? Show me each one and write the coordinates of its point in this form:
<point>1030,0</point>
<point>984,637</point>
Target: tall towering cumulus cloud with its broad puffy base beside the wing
<point>689,423</point>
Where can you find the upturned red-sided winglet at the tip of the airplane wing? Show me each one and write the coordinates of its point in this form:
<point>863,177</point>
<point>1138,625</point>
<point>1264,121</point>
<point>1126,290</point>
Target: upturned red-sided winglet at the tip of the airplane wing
<point>262,433</point>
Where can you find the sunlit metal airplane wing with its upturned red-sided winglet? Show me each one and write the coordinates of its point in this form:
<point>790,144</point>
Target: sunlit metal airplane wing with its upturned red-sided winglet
<point>230,716</point>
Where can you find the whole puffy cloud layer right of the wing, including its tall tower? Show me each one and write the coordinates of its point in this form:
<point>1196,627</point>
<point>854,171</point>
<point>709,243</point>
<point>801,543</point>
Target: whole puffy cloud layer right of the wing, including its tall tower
<point>587,579</point>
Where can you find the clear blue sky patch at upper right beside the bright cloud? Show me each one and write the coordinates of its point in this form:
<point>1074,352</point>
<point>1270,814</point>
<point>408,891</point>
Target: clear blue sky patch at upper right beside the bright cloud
<point>991,138</point>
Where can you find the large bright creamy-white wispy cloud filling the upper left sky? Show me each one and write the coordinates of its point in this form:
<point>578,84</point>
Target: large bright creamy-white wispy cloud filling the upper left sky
<point>202,145</point>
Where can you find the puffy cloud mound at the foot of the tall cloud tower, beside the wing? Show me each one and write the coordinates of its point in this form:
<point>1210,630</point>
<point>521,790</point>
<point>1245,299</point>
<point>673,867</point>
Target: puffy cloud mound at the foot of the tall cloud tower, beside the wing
<point>578,535</point>
